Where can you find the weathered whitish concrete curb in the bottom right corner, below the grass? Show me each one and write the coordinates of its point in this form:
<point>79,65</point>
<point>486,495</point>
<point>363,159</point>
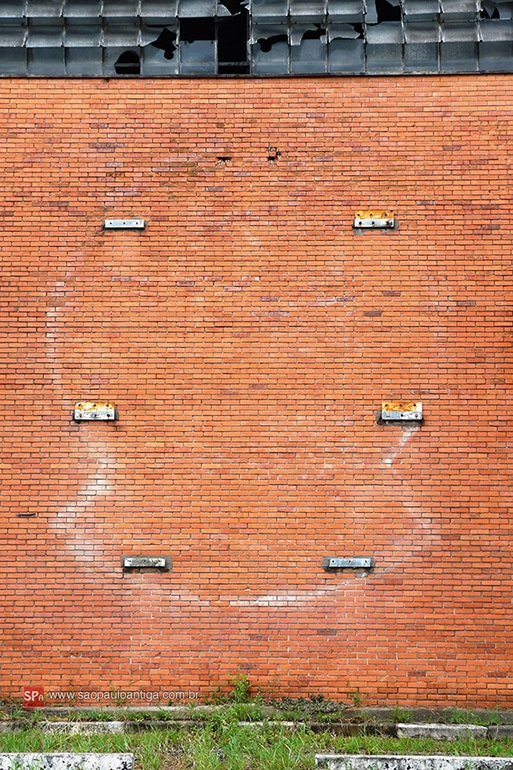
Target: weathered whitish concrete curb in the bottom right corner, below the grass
<point>391,762</point>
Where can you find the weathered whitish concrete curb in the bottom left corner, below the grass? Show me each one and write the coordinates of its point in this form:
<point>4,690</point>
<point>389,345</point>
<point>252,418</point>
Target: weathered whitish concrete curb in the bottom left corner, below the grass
<point>39,761</point>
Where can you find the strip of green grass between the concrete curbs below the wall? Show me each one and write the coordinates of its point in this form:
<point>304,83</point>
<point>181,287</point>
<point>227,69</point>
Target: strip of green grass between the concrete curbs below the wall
<point>222,744</point>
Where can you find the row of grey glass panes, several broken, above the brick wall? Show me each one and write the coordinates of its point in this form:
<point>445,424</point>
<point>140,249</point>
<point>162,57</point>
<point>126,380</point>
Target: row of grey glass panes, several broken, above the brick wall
<point>286,37</point>
